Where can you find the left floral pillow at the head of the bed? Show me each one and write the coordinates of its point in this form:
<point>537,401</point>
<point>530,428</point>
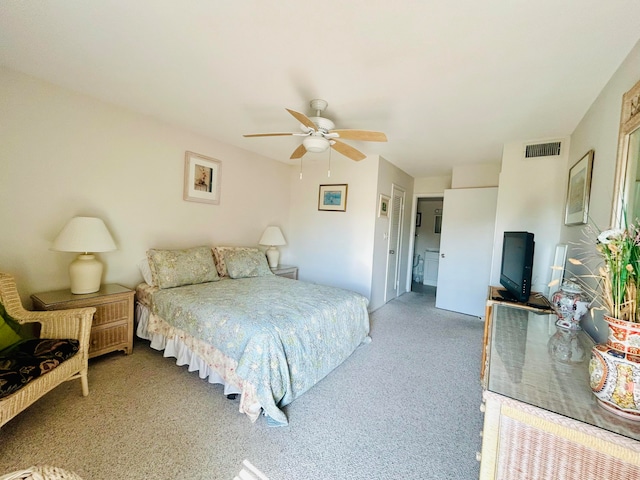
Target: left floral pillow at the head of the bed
<point>174,268</point>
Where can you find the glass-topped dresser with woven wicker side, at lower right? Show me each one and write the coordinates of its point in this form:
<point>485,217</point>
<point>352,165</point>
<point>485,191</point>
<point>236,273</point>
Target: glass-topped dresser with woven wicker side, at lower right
<point>540,418</point>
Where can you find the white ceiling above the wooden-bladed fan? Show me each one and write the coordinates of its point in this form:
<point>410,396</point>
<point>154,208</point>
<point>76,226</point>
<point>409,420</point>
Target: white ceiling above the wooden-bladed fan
<point>448,82</point>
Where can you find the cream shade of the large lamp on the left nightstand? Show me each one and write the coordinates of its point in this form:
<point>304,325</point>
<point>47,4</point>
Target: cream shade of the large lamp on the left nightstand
<point>84,234</point>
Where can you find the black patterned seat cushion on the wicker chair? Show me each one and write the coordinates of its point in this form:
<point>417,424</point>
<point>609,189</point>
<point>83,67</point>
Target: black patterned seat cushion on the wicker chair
<point>30,359</point>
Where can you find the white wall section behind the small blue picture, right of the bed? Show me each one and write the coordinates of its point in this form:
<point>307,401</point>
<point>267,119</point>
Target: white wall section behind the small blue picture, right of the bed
<point>334,248</point>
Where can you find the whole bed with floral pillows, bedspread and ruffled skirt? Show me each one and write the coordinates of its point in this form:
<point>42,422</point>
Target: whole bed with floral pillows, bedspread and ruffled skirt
<point>223,313</point>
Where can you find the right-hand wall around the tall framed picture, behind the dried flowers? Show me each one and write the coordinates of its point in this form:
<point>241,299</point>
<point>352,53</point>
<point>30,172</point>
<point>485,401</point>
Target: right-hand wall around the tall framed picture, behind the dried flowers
<point>598,130</point>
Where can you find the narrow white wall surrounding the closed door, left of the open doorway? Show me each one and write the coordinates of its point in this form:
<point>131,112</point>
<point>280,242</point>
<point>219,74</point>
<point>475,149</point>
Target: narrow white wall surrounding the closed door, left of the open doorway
<point>389,174</point>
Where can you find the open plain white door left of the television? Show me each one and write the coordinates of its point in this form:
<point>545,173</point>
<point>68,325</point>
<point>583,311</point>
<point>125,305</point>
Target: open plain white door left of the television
<point>466,248</point>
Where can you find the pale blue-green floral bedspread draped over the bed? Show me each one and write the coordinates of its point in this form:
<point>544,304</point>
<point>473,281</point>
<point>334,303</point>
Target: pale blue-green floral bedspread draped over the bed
<point>285,335</point>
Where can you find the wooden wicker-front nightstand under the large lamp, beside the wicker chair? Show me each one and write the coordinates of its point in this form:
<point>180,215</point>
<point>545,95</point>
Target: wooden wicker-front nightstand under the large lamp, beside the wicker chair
<point>112,327</point>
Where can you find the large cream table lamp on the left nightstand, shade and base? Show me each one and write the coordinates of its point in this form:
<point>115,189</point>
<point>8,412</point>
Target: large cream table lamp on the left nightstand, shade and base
<point>85,235</point>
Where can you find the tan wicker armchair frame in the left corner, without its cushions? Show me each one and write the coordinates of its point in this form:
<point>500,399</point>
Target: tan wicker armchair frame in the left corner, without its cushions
<point>69,324</point>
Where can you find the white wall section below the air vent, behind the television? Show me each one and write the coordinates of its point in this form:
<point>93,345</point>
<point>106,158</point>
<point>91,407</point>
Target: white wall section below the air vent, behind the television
<point>531,198</point>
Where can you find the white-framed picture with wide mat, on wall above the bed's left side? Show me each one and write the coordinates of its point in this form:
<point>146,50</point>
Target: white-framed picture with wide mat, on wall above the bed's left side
<point>201,178</point>
